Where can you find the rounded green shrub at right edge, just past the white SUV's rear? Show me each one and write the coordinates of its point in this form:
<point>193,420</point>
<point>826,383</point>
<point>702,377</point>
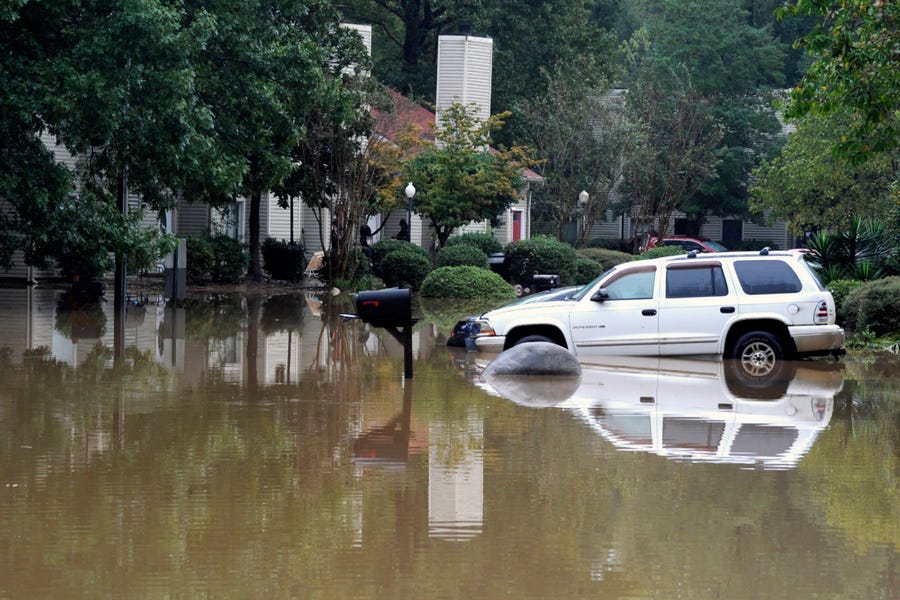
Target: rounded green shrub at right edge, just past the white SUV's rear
<point>873,306</point>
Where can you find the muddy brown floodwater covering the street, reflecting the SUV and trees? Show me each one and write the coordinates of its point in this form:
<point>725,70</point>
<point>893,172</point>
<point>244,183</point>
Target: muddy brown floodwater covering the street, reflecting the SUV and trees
<point>260,447</point>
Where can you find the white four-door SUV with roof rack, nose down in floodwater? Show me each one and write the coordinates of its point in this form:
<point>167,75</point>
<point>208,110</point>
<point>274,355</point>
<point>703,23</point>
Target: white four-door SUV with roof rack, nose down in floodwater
<point>756,307</point>
